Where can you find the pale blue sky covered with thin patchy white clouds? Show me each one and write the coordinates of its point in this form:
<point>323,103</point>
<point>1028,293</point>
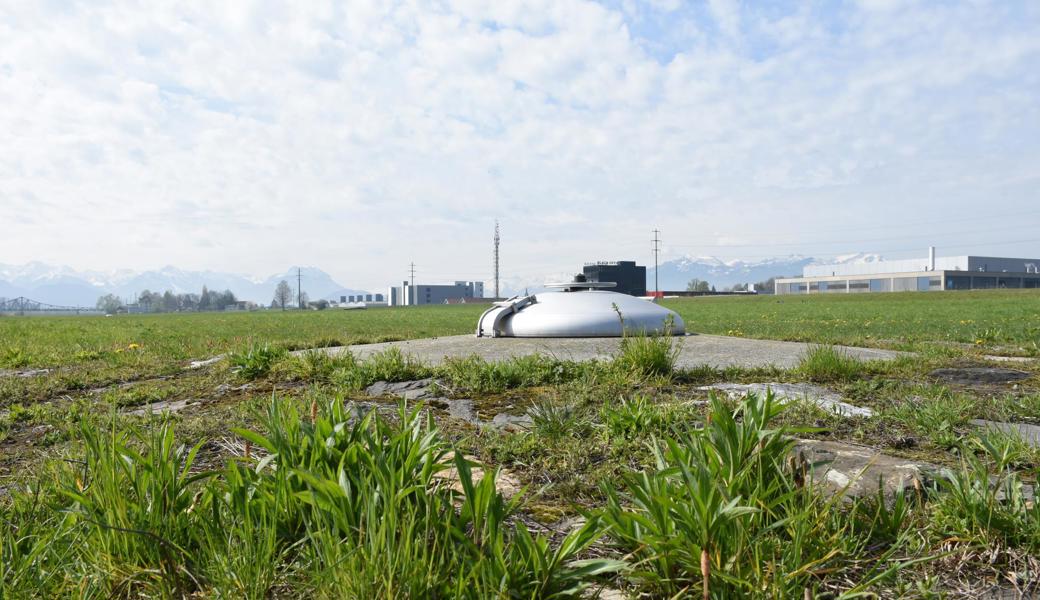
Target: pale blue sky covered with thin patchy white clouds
<point>362,137</point>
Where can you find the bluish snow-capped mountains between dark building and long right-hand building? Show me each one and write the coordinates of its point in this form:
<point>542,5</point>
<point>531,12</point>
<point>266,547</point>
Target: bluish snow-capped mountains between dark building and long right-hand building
<point>674,275</point>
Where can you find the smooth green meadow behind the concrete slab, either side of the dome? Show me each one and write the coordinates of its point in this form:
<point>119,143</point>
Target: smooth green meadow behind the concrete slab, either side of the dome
<point>1003,321</point>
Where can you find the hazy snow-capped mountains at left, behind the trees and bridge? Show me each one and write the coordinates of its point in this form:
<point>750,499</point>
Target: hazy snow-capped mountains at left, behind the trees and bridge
<point>65,286</point>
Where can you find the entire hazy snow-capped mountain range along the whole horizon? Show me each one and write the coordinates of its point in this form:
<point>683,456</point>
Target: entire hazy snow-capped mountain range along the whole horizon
<point>65,286</point>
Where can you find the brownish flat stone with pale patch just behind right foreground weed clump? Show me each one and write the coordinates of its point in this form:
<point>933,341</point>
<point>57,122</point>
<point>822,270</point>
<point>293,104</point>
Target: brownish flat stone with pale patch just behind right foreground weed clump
<point>857,472</point>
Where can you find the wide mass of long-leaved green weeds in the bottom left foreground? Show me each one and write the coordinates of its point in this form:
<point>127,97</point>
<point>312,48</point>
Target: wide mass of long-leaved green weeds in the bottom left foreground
<point>324,506</point>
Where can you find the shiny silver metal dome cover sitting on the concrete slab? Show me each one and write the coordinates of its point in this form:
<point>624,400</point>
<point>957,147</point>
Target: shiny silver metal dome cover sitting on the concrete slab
<point>583,314</point>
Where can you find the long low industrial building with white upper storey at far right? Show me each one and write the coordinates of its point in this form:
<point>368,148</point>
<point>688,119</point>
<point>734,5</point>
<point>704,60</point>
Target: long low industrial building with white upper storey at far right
<point>954,273</point>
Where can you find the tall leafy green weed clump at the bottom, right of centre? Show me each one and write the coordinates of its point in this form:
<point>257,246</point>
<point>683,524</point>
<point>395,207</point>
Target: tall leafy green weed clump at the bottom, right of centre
<point>723,514</point>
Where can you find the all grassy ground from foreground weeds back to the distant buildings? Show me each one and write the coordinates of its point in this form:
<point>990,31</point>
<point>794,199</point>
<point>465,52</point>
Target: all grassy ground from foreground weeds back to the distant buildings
<point>269,485</point>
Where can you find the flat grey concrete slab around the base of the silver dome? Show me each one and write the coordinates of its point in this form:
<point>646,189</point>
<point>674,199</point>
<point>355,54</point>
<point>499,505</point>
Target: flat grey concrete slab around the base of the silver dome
<point>697,350</point>
